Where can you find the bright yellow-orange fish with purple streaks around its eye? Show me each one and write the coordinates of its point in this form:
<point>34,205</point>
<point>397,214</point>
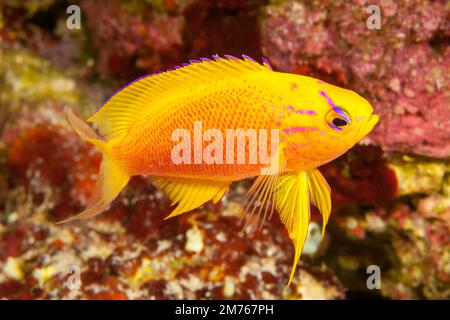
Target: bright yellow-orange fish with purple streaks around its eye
<point>196,129</point>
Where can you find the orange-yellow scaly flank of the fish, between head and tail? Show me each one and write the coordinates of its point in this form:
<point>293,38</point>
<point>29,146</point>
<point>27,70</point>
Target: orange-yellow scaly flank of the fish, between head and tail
<point>241,104</point>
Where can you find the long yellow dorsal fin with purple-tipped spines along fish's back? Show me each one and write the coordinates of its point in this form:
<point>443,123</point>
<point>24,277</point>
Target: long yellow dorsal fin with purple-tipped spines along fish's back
<point>118,114</point>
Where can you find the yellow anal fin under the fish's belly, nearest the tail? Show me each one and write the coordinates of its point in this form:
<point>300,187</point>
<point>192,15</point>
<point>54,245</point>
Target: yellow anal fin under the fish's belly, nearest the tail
<point>190,194</point>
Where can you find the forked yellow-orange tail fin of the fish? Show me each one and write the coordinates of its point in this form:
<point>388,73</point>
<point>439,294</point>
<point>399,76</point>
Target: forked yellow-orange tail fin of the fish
<point>112,178</point>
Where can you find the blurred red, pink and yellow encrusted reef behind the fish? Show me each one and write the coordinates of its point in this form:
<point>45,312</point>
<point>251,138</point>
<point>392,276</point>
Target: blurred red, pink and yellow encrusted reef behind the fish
<point>391,193</point>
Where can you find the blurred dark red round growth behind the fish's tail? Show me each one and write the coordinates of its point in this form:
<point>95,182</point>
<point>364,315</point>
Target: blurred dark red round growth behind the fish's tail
<point>51,155</point>
